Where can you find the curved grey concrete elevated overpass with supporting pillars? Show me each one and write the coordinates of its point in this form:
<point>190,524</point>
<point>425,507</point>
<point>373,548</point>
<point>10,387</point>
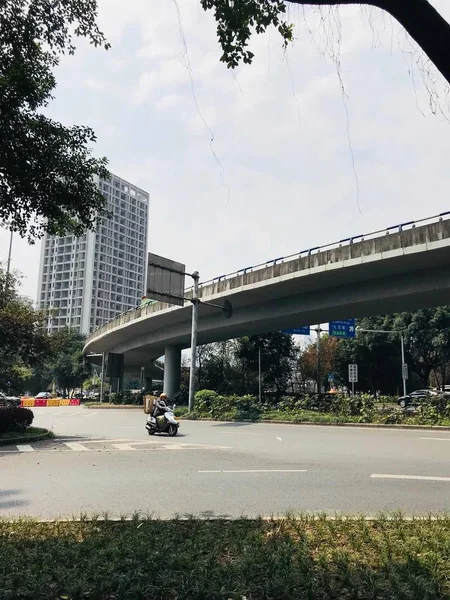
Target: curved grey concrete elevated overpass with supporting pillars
<point>402,268</point>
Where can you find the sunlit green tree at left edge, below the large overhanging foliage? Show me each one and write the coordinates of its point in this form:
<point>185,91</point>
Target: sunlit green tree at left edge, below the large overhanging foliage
<point>23,339</point>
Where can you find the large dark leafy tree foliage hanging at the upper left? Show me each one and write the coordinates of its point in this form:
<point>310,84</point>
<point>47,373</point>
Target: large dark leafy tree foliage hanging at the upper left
<point>46,169</point>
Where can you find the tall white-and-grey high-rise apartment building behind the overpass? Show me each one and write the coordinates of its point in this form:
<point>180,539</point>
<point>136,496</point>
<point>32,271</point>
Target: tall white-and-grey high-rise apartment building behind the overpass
<point>92,278</point>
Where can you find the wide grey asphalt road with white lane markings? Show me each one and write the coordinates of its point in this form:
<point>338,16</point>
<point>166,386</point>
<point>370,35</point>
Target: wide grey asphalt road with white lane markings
<point>103,461</point>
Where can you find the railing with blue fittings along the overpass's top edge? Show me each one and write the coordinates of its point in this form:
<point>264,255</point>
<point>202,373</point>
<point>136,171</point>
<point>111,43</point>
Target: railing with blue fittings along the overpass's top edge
<point>136,313</point>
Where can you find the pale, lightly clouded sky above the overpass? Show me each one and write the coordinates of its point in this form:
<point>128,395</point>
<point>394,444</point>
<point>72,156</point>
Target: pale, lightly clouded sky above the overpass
<point>336,136</point>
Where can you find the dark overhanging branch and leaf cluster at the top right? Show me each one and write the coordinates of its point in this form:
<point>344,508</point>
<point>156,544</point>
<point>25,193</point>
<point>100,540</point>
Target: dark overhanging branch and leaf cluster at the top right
<point>238,19</point>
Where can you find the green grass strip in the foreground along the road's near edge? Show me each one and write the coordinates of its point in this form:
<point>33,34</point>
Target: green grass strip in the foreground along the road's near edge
<point>311,558</point>
